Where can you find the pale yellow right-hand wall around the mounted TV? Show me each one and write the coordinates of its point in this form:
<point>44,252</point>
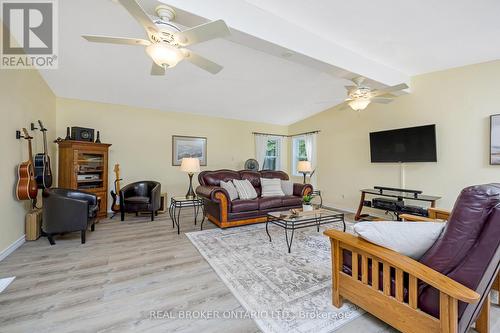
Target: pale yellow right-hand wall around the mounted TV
<point>458,101</point>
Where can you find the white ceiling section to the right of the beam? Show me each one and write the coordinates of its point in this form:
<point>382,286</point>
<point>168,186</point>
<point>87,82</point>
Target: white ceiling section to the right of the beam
<point>413,37</point>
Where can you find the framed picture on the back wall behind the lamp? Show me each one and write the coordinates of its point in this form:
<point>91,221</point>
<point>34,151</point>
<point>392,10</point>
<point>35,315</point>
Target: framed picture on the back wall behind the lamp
<point>188,146</point>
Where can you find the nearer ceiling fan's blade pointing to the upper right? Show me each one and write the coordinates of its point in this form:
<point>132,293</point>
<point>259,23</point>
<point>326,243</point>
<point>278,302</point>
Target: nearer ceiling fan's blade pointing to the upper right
<point>202,33</point>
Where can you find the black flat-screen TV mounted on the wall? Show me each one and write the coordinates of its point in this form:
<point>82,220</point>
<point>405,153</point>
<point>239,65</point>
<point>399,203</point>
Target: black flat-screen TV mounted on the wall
<point>415,144</point>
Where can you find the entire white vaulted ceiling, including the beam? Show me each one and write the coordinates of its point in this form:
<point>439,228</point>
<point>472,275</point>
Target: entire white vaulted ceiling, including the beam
<point>286,59</point>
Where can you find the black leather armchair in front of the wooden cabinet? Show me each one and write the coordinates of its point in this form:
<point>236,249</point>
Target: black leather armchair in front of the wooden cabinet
<point>66,210</point>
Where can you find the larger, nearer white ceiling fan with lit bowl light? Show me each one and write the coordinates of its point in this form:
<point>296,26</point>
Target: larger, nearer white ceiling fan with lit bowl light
<point>167,42</point>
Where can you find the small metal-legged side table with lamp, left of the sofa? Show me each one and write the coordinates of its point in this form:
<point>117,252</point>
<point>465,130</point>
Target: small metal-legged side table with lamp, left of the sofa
<point>190,166</point>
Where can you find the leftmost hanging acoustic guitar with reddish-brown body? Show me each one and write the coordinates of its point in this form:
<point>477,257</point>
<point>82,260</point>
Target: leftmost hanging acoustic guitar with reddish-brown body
<point>26,188</point>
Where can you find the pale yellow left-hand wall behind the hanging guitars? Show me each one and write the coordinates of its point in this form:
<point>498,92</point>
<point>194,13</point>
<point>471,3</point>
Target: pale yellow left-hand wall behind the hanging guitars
<point>25,98</point>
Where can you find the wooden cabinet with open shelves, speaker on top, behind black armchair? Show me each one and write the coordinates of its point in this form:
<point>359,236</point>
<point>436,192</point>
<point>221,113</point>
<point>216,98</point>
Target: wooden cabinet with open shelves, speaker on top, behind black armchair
<point>79,160</point>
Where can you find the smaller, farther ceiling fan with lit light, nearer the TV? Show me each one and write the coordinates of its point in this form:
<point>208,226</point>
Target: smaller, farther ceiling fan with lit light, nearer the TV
<point>360,96</point>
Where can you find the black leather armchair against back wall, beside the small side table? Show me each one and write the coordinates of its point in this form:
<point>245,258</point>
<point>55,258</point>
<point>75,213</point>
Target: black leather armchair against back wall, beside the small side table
<point>144,196</point>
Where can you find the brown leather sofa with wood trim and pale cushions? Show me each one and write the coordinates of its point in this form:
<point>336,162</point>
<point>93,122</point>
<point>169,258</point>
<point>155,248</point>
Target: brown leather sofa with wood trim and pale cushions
<point>226,213</point>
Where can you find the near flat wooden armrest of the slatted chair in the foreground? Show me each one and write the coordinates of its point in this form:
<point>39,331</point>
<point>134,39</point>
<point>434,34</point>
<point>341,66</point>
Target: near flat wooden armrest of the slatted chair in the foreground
<point>408,265</point>
